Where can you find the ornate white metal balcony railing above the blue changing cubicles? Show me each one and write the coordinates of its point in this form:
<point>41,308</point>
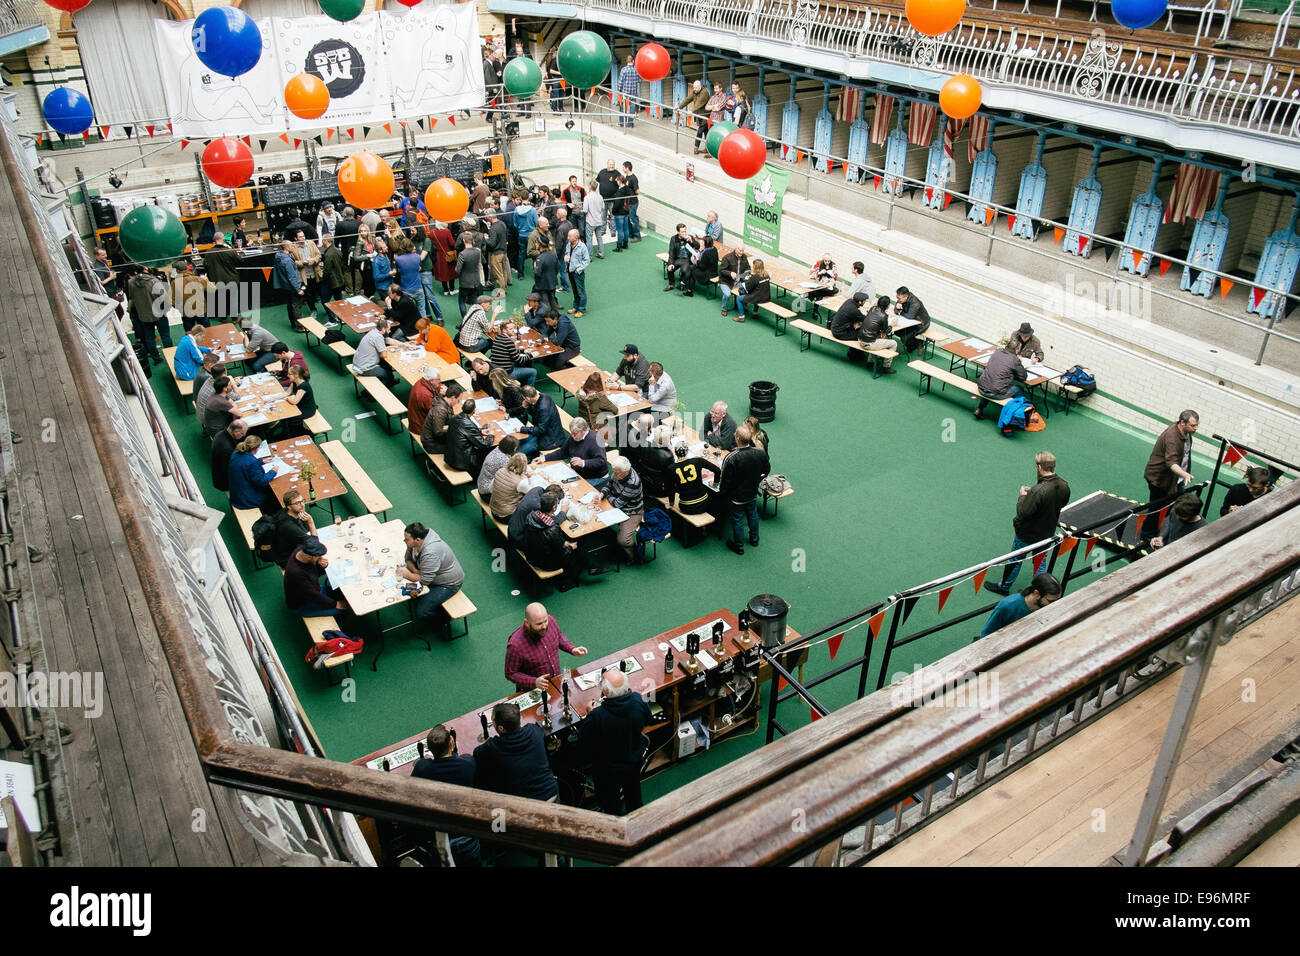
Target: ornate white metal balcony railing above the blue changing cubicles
<point>1097,70</point>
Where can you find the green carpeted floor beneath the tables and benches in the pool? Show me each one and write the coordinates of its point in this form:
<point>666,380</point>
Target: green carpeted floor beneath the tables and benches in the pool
<point>891,491</point>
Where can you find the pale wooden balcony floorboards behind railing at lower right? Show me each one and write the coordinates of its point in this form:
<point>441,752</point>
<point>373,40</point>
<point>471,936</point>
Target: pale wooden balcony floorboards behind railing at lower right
<point>1077,804</point>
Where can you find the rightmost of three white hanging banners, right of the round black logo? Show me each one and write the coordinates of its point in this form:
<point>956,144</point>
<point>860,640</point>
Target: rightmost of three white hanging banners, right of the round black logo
<point>437,59</point>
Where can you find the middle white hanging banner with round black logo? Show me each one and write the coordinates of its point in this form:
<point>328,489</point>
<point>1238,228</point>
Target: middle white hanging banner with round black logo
<point>348,57</point>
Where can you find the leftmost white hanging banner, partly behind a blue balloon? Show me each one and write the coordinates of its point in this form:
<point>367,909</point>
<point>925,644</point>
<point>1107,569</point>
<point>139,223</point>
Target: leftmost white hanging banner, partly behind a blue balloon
<point>205,105</point>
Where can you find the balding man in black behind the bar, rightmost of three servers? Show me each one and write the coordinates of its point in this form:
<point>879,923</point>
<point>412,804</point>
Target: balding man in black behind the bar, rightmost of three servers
<point>612,739</point>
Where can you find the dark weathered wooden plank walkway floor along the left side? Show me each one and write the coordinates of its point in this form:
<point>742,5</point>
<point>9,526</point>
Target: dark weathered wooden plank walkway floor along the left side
<point>136,785</point>
